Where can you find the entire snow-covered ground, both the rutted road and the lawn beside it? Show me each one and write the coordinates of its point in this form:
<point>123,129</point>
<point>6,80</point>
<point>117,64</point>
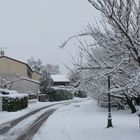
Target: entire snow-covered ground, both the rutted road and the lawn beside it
<point>69,120</point>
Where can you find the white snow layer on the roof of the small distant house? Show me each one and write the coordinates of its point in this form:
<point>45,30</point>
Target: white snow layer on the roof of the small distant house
<point>60,78</point>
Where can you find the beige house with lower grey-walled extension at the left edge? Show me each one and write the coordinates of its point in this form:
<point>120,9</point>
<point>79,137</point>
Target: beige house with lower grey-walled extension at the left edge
<point>27,81</point>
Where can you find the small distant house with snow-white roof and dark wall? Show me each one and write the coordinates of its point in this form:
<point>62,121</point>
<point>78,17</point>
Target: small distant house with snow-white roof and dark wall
<point>60,80</point>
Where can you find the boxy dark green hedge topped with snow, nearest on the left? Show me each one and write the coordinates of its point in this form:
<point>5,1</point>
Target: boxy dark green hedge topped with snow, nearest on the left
<point>14,103</point>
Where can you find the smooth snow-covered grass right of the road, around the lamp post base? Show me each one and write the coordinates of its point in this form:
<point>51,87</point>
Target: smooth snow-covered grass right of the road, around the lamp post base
<point>87,121</point>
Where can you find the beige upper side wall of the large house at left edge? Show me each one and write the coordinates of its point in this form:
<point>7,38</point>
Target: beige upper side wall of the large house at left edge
<point>9,66</point>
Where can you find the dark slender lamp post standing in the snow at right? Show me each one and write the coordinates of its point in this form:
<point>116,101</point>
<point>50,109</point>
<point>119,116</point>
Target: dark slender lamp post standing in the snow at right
<point>109,124</point>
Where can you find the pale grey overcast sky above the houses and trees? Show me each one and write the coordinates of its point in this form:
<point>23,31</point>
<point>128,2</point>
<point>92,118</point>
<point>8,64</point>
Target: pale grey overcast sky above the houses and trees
<point>35,28</point>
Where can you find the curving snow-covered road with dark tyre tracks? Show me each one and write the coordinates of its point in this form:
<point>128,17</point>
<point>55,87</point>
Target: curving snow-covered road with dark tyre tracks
<point>25,126</point>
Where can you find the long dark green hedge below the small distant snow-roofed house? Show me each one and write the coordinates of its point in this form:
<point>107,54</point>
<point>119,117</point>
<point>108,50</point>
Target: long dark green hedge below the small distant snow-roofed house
<point>59,95</point>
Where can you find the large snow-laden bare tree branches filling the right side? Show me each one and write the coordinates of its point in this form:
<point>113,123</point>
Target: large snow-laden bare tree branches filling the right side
<point>114,51</point>
